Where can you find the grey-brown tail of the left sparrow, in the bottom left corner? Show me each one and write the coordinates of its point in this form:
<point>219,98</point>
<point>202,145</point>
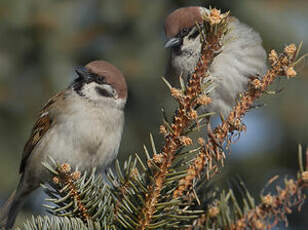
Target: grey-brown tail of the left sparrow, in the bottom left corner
<point>9,211</point>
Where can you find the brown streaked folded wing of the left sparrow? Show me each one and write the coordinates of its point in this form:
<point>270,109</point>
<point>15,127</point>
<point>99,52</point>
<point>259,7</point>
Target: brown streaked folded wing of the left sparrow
<point>41,126</point>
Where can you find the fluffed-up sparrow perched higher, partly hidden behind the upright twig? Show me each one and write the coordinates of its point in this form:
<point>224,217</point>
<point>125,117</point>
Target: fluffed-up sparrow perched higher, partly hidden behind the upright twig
<point>240,58</point>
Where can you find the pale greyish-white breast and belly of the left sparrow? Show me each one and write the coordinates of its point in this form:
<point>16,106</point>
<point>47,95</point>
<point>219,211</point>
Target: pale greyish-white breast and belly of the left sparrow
<point>84,138</point>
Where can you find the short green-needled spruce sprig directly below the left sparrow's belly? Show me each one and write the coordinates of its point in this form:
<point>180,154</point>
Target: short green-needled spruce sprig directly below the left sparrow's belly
<point>75,195</point>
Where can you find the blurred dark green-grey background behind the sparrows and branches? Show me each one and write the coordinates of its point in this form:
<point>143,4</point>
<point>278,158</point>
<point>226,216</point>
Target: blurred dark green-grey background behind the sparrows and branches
<point>41,41</point>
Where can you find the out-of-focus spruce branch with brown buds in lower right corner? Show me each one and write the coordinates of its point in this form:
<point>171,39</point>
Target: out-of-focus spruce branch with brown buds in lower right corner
<point>225,212</point>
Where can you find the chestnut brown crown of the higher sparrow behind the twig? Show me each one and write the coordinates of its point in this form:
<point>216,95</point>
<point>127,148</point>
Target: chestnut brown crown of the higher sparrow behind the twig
<point>180,19</point>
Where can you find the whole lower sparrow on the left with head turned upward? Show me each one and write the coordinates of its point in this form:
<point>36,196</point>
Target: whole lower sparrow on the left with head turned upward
<point>81,126</point>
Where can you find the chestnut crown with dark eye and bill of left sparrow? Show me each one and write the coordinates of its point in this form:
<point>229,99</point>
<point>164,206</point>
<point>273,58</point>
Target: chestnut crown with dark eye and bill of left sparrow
<point>102,72</point>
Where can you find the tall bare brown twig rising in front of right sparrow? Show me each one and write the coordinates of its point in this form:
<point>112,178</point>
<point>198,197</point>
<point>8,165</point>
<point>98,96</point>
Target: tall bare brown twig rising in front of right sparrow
<point>185,115</point>
